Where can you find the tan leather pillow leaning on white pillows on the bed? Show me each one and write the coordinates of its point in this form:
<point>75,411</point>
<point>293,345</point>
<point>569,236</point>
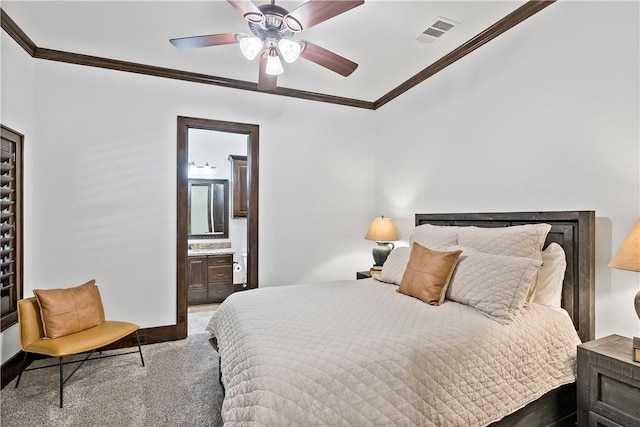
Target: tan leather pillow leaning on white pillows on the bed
<point>428,273</point>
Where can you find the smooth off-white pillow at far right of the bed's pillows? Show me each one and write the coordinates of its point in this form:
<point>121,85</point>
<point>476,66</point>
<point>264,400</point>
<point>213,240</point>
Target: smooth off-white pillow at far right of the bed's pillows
<point>548,289</point>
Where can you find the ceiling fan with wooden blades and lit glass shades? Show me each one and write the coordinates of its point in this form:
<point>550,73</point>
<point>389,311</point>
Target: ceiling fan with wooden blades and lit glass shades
<point>273,27</point>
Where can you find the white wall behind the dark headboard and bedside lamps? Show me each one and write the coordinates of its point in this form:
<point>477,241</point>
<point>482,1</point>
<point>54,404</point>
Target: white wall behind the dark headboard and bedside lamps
<point>545,117</point>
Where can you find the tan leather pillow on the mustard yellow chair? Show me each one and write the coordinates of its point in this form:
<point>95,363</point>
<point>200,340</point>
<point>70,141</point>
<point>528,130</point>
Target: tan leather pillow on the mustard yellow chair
<point>66,311</point>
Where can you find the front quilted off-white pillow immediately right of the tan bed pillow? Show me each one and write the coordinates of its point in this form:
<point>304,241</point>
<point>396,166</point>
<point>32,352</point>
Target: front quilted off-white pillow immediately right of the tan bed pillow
<point>496,285</point>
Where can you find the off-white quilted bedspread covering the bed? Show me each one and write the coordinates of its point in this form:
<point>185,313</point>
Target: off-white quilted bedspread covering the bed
<point>359,353</point>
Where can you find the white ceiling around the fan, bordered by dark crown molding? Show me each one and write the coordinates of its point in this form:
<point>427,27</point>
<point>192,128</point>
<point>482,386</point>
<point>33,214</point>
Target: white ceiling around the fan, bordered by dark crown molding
<point>378,35</point>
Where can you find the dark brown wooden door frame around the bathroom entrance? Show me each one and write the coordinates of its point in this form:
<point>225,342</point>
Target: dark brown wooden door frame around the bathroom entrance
<point>182,232</point>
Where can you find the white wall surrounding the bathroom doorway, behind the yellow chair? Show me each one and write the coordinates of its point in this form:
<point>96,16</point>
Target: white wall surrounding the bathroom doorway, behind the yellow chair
<point>112,148</point>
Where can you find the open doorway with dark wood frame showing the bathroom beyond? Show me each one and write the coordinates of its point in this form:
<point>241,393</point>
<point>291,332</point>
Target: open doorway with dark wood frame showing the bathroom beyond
<point>217,214</point>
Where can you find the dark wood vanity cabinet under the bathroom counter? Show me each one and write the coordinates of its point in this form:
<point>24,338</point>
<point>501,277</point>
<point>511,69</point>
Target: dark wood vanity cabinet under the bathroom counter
<point>210,278</point>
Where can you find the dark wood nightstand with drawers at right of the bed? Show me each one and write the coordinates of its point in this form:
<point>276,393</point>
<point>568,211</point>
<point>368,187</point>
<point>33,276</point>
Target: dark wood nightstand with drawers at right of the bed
<point>608,383</point>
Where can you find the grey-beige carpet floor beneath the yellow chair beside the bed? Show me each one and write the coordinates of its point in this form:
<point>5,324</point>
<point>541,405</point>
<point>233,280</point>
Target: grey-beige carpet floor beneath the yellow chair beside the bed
<point>178,387</point>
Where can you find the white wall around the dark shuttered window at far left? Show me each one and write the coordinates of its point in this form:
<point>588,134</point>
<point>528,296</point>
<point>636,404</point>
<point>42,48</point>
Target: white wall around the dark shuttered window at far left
<point>16,112</point>
